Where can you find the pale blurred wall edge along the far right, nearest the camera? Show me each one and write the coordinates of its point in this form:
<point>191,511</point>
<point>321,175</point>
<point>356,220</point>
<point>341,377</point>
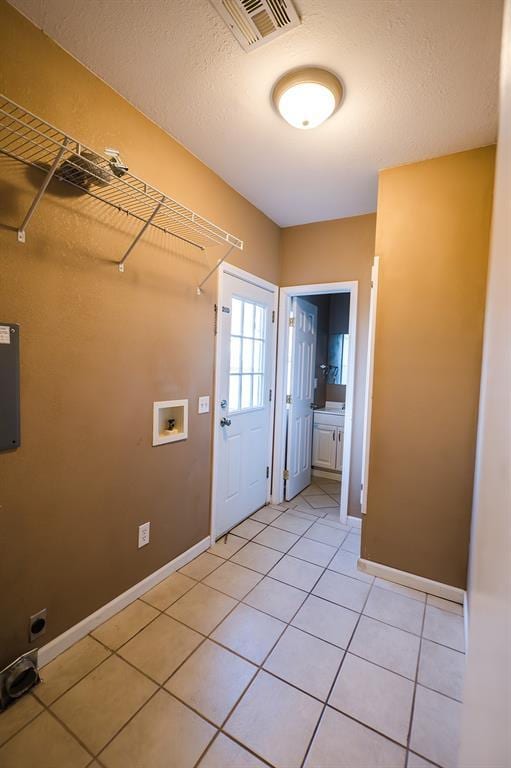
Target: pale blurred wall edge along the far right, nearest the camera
<point>485,733</point>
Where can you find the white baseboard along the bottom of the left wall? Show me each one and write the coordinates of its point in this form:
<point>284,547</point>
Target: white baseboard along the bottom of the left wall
<point>75,633</point>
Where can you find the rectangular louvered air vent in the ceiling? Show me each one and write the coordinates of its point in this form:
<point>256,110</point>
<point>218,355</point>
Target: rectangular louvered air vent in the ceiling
<point>255,22</point>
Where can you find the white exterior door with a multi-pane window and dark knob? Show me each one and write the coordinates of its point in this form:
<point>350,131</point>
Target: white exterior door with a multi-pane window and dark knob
<point>242,460</point>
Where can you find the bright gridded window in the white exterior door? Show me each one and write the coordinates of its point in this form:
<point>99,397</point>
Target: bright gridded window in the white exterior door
<point>247,350</point>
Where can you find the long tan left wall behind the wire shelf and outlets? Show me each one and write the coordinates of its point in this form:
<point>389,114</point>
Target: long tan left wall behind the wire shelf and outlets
<point>97,348</point>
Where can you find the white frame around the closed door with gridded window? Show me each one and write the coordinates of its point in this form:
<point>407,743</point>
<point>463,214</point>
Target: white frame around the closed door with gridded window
<point>230,269</point>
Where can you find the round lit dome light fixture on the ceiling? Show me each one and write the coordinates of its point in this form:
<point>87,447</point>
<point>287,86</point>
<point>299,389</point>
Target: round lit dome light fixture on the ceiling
<point>308,96</point>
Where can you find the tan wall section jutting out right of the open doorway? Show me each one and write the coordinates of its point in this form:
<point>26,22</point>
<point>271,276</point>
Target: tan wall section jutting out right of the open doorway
<point>432,237</point>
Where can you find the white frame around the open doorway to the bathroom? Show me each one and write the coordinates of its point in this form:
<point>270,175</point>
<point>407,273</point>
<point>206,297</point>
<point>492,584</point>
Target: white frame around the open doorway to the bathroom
<point>279,453</point>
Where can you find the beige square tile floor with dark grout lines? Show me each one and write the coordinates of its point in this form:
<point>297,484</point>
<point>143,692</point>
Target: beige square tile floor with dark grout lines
<point>271,649</point>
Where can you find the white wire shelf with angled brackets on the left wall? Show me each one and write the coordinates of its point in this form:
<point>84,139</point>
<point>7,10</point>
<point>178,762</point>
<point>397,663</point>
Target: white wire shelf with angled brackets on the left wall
<point>35,142</point>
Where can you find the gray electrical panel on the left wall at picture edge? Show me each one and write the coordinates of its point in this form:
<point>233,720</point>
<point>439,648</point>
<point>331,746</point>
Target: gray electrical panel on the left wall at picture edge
<point>9,386</point>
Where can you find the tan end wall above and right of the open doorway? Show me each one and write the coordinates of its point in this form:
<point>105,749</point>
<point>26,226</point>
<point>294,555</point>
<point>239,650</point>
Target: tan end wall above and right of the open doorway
<point>334,251</point>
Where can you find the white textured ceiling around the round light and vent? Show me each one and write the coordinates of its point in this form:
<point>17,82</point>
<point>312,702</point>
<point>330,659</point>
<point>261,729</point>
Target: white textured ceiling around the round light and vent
<point>420,79</point>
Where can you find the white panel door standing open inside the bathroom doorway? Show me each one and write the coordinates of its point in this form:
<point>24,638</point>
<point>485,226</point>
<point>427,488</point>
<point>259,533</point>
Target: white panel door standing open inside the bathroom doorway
<point>301,390</point>
